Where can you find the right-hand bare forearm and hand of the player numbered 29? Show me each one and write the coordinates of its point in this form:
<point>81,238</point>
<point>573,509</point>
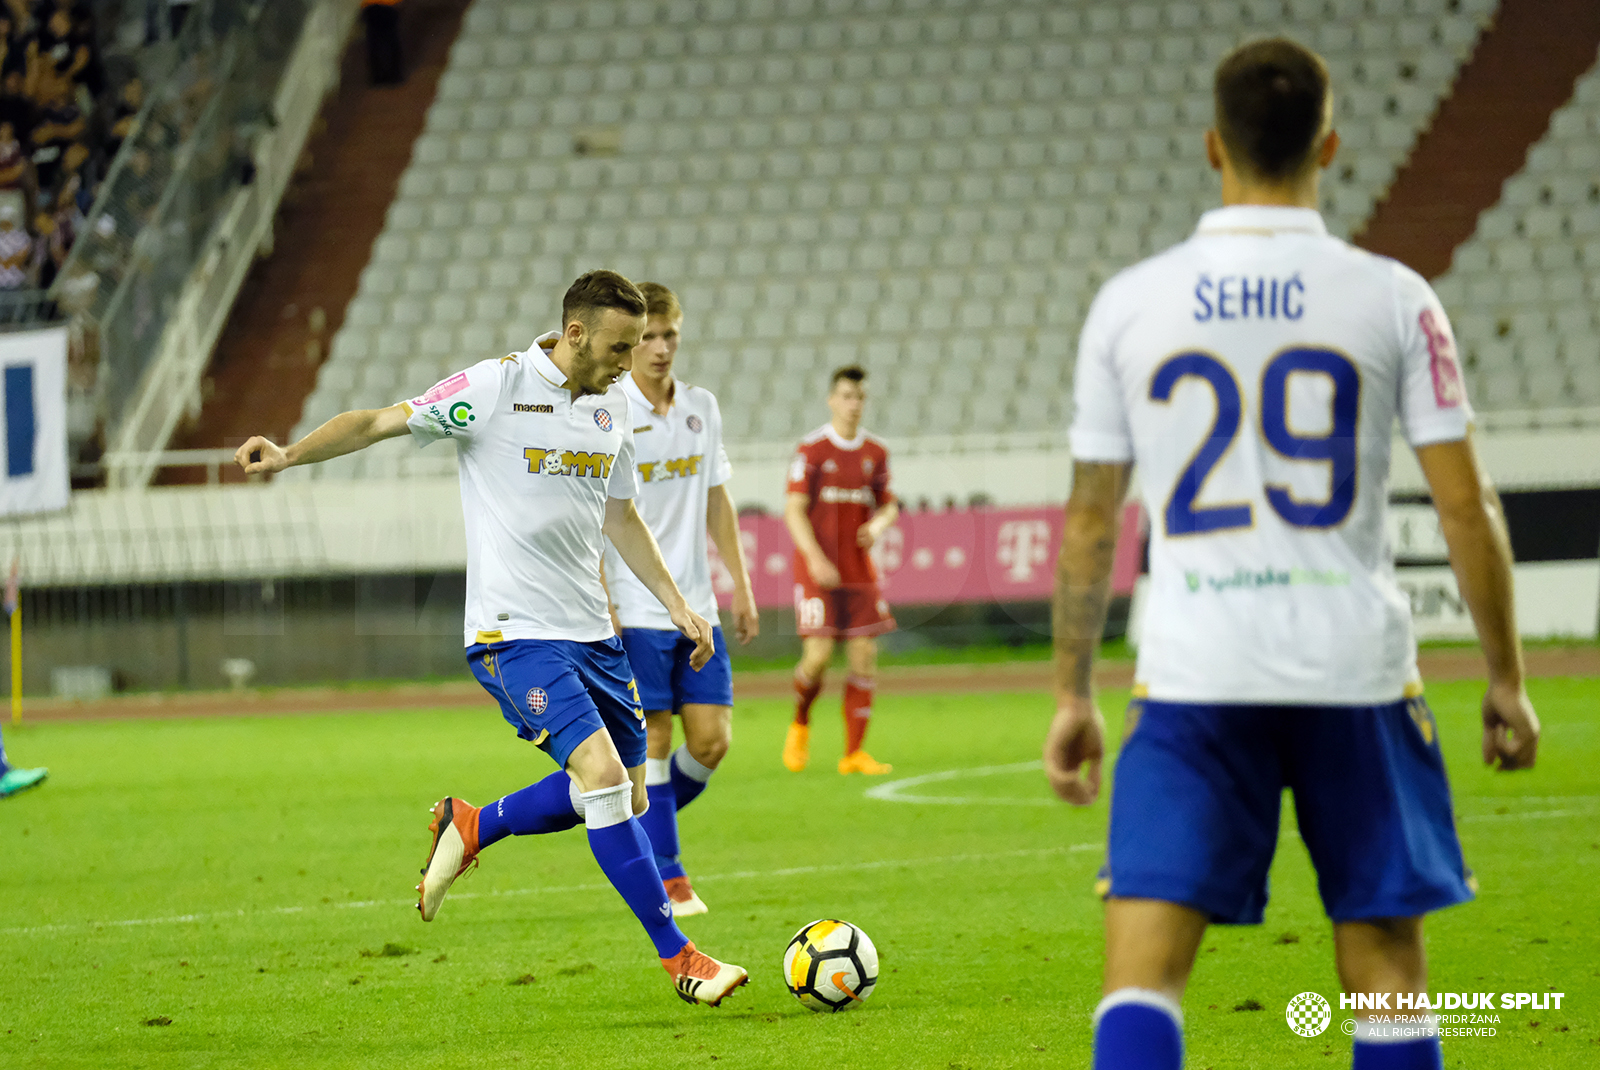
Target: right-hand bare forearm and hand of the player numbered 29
<point>1474,529</point>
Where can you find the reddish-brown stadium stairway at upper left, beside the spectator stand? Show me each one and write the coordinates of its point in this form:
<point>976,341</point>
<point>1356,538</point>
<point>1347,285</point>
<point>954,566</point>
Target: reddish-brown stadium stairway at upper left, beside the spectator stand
<point>276,340</point>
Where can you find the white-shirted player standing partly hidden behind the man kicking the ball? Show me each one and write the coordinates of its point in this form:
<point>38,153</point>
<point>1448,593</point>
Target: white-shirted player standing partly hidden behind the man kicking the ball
<point>684,490</point>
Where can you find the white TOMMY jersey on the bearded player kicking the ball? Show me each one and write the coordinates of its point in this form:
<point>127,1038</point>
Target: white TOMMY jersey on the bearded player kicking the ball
<point>537,469</point>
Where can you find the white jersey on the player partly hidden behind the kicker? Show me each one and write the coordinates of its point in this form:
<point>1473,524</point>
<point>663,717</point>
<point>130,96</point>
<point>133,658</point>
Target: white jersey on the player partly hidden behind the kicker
<point>681,458</point>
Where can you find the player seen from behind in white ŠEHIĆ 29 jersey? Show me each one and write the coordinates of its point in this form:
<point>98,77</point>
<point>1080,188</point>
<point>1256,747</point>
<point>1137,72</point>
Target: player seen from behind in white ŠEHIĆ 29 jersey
<point>1255,373</point>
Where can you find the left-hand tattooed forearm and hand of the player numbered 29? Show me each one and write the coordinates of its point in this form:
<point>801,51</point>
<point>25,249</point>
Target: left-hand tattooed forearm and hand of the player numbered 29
<point>1076,743</point>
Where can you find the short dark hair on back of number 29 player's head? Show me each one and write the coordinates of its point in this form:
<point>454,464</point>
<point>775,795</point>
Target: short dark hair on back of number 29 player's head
<point>1271,105</point>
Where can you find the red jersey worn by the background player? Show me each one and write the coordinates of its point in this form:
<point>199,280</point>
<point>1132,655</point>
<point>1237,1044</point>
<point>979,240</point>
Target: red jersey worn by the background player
<point>847,482</point>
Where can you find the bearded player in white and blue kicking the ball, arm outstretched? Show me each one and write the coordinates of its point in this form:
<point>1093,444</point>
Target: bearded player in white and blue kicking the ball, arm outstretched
<point>546,445</point>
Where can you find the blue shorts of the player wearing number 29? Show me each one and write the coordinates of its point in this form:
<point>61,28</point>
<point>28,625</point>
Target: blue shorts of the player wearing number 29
<point>1194,808</point>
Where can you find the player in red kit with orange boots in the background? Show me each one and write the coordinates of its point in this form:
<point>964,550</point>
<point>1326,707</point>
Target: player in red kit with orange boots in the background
<point>839,506</point>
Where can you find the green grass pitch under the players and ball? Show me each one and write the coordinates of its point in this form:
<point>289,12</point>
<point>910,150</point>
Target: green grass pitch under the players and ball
<point>246,885</point>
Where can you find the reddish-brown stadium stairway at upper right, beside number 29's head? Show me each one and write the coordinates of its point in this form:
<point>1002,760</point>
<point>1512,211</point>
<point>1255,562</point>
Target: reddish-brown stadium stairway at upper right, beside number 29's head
<point>1522,70</point>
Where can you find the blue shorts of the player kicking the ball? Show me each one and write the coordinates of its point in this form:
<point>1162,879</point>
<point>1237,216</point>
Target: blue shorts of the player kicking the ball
<point>558,693</point>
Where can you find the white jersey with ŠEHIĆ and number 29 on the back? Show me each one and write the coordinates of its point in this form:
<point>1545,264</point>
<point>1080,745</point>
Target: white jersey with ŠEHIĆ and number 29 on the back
<point>1255,375</point>
